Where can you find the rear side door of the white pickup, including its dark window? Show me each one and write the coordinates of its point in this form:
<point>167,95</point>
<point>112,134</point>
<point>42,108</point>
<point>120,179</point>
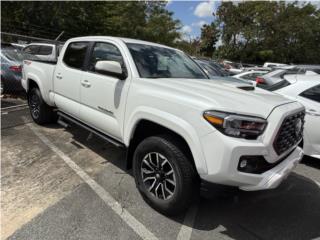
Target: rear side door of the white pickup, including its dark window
<point>67,78</point>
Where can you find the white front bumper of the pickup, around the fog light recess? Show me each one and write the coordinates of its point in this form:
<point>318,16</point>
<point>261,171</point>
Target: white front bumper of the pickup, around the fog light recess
<point>222,154</point>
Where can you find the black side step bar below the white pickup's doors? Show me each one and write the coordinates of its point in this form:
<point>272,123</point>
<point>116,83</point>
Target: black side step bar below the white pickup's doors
<point>63,116</point>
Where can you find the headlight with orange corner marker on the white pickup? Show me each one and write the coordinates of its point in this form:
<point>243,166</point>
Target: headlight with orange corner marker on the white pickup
<point>235,125</point>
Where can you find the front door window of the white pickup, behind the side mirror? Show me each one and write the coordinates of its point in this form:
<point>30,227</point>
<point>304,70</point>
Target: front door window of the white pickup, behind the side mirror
<point>105,52</point>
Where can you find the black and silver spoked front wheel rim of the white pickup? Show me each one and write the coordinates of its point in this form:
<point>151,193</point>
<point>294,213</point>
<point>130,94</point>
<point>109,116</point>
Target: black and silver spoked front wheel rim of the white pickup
<point>158,176</point>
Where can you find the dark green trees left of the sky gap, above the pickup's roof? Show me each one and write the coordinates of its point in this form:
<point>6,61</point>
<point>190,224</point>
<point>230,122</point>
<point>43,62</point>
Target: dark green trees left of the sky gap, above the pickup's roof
<point>135,19</point>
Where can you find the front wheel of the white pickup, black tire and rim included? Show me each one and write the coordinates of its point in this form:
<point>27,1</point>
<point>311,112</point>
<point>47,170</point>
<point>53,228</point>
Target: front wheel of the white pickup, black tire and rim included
<point>171,157</point>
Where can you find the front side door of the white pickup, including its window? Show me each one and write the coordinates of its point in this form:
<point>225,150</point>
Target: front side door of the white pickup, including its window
<point>103,96</point>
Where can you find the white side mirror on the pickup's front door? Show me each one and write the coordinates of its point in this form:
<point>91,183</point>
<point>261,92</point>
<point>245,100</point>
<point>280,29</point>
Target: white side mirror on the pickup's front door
<point>111,68</point>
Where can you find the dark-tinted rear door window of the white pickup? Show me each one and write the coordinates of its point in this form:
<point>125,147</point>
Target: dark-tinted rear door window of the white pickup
<point>75,54</point>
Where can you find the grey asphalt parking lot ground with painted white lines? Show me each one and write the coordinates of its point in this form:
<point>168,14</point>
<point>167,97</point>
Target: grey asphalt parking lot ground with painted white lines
<point>44,198</point>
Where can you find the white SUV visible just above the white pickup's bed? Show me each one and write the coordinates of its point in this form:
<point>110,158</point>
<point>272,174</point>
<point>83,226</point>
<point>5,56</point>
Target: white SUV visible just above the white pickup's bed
<point>47,52</point>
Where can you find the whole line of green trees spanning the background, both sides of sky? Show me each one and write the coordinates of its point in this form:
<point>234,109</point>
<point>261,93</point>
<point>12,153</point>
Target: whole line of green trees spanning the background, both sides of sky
<point>250,31</point>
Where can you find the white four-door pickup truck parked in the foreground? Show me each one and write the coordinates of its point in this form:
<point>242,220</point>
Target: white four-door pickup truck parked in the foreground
<point>179,128</point>
